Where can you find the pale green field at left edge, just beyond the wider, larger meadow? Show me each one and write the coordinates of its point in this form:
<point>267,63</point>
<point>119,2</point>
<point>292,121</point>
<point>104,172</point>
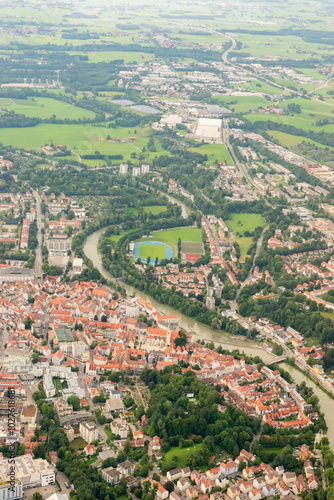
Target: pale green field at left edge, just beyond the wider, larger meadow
<point>44,107</point>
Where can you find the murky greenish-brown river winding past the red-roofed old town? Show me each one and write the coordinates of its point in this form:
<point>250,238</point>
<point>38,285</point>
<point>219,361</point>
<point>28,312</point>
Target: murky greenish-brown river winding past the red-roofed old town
<point>198,330</point>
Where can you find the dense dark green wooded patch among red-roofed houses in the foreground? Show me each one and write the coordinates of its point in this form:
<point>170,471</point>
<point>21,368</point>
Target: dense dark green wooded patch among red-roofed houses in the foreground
<point>176,418</point>
